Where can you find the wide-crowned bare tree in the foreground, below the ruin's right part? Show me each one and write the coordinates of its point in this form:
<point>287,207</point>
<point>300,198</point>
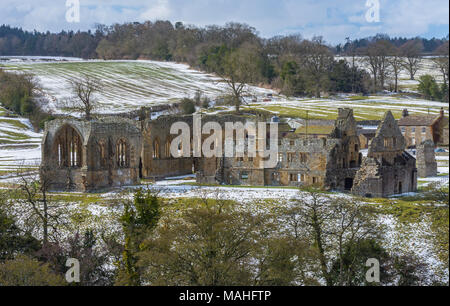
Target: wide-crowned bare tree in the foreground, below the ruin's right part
<point>331,224</point>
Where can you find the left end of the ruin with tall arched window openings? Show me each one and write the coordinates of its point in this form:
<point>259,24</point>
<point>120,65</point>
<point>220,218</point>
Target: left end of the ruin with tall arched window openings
<point>103,164</point>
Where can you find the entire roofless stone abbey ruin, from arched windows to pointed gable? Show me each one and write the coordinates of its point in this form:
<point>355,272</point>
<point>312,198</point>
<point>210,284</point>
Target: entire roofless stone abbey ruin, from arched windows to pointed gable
<point>109,152</point>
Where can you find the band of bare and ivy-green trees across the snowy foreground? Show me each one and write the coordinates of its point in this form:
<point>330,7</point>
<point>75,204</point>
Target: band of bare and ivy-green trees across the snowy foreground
<point>315,239</point>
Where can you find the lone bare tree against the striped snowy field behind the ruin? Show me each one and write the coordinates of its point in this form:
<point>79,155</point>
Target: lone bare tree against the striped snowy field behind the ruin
<point>83,100</point>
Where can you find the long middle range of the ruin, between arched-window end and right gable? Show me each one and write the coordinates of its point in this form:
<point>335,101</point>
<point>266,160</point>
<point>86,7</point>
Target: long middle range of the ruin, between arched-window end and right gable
<point>301,161</point>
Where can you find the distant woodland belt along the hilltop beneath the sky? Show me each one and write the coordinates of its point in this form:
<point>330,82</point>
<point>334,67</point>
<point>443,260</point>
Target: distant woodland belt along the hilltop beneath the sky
<point>294,65</point>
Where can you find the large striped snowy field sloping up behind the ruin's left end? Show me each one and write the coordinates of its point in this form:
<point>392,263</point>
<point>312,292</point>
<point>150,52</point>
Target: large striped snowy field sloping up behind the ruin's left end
<point>126,84</point>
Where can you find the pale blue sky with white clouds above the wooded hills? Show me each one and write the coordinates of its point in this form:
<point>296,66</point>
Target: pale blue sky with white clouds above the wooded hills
<point>333,19</point>
